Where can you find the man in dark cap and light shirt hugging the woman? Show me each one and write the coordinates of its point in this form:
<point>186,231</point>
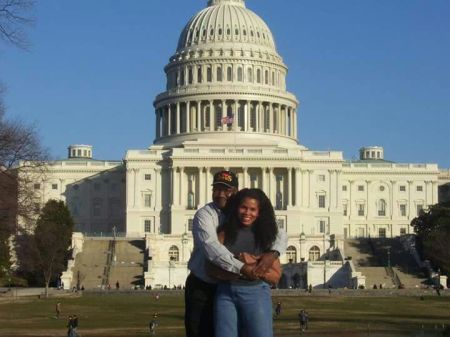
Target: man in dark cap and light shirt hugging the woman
<point>200,288</point>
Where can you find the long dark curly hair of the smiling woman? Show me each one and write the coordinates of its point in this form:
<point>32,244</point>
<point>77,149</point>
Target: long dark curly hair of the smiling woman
<point>265,226</point>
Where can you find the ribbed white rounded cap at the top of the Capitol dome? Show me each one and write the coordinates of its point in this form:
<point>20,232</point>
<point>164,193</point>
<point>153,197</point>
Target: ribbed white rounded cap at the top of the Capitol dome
<point>226,21</point>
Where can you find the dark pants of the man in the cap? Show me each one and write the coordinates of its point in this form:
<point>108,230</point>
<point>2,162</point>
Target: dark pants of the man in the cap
<point>199,305</point>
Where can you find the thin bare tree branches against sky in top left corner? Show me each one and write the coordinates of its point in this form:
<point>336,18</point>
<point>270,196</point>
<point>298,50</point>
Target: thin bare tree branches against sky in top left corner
<point>14,17</point>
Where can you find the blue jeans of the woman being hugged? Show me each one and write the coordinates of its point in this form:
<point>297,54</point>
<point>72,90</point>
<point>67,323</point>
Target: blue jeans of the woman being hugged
<point>243,311</point>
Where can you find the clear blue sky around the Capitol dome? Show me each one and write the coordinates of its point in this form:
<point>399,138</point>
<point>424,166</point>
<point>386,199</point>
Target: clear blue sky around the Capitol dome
<point>367,72</point>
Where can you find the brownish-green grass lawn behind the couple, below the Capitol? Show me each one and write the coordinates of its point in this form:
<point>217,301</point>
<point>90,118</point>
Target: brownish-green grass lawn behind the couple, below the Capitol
<point>128,315</point>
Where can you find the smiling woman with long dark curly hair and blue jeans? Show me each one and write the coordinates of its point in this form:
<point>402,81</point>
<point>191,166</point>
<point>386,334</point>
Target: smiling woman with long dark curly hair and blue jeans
<point>244,307</point>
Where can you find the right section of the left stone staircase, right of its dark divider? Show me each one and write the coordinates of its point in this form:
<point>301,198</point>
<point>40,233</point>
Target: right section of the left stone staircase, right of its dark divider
<point>127,267</point>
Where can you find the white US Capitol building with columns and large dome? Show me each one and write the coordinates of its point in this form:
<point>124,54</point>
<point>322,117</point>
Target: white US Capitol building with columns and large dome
<point>226,106</point>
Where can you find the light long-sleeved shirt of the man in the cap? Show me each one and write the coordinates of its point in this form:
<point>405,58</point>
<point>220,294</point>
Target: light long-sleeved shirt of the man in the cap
<point>208,248</point>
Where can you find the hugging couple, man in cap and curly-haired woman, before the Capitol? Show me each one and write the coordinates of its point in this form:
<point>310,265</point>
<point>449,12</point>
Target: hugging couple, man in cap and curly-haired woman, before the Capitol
<point>228,294</point>
